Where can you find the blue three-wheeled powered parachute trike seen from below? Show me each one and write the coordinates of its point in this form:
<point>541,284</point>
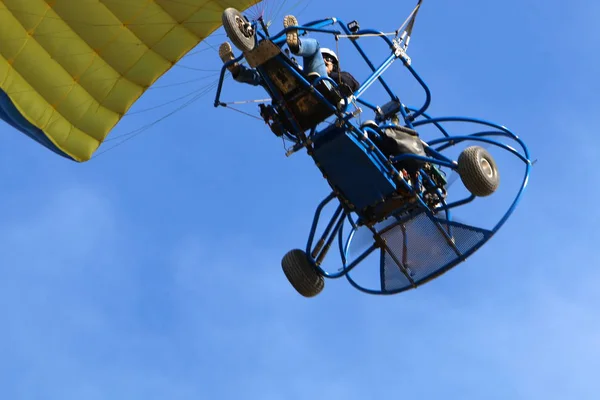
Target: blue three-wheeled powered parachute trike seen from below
<point>386,179</point>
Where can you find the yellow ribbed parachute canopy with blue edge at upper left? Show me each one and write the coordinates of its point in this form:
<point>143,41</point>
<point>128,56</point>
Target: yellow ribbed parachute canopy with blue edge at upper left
<point>70,69</point>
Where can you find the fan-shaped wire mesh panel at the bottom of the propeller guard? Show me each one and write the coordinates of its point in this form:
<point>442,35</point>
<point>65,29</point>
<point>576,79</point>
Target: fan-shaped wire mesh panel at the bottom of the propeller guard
<point>417,250</point>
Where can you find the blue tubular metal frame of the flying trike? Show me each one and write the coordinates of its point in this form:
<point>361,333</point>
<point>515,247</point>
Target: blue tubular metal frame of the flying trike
<point>345,214</point>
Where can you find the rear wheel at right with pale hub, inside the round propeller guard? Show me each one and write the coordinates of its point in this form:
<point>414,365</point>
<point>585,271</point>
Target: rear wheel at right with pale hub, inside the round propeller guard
<point>478,171</point>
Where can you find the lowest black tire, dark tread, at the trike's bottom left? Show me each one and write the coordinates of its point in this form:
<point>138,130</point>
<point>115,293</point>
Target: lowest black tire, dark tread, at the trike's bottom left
<point>302,274</point>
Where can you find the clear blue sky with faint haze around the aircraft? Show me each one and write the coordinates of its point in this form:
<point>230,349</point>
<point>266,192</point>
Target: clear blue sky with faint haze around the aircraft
<point>153,271</point>
